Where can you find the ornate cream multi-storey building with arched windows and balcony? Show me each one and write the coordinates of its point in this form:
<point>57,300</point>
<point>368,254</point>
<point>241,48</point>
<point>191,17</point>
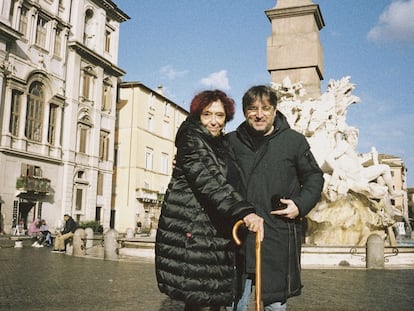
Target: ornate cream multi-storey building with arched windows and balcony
<point>58,92</point>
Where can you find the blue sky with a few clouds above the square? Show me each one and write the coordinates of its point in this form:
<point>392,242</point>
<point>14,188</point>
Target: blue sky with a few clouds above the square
<point>188,45</point>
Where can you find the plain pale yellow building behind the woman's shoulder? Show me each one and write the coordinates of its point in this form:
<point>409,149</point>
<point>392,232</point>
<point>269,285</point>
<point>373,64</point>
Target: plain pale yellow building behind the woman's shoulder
<point>146,125</point>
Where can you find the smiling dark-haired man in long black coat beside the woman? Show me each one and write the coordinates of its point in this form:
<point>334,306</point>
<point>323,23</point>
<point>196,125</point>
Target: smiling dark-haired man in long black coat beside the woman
<point>275,161</point>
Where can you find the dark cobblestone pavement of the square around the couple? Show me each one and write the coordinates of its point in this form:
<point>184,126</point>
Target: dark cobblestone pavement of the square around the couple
<point>36,279</point>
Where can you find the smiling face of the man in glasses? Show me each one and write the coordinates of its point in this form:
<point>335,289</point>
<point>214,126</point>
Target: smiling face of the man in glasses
<point>260,116</point>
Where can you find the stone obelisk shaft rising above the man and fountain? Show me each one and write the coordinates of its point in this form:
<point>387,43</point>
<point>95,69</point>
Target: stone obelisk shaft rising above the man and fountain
<point>294,49</point>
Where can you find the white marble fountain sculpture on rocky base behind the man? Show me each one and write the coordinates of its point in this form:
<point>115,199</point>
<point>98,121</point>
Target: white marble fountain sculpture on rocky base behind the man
<point>356,200</point>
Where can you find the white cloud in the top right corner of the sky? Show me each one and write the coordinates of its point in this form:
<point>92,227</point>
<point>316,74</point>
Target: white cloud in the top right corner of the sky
<point>396,23</point>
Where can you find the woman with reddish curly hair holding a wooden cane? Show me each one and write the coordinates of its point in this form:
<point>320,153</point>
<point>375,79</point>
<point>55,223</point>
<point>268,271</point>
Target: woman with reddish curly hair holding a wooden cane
<point>194,254</point>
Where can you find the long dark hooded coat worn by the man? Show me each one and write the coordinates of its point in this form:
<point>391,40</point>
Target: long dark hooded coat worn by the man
<point>282,164</point>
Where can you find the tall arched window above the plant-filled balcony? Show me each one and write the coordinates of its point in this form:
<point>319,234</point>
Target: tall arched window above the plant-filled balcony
<point>34,114</point>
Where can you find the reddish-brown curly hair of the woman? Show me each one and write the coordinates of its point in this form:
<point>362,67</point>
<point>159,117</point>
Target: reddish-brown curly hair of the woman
<point>205,98</point>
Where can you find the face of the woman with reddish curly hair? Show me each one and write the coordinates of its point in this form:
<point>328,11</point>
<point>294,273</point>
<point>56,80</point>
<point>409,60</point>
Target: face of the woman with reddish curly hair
<point>213,117</point>
